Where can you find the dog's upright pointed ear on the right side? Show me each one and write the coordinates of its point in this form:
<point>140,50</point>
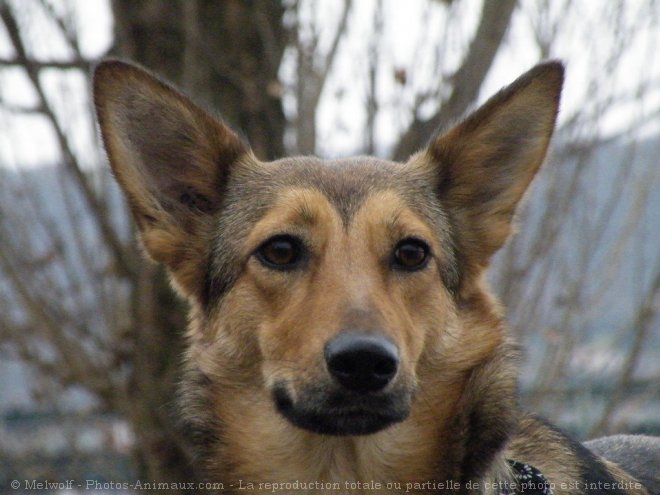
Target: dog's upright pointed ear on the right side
<point>482,167</point>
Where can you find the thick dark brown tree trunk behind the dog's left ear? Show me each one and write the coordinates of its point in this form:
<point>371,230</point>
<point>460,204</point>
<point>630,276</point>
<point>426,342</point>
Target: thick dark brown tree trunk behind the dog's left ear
<point>226,55</point>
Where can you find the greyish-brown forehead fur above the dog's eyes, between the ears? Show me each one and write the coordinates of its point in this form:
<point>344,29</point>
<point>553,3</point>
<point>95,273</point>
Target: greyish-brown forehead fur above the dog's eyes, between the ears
<point>345,183</point>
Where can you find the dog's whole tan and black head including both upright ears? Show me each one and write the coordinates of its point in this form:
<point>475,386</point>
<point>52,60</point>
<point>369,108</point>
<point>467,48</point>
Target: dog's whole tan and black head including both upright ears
<point>335,287</point>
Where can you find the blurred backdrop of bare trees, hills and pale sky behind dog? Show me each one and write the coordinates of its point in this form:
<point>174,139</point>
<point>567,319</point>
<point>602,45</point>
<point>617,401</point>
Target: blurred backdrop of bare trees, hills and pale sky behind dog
<point>90,334</point>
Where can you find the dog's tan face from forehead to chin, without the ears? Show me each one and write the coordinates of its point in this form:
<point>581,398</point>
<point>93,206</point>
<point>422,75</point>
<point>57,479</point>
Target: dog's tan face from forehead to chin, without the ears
<point>338,283</point>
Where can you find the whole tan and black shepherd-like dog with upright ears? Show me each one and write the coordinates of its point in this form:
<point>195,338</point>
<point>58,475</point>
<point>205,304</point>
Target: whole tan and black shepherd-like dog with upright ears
<point>342,336</point>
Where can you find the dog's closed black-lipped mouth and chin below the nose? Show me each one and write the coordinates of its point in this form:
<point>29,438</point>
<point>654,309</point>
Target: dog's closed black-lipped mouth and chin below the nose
<point>342,413</point>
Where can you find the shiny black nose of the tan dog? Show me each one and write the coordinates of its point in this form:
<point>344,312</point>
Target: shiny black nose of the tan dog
<point>362,362</point>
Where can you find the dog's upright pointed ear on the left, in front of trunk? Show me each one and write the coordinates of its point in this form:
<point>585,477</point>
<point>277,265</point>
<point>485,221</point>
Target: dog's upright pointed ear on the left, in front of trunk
<point>170,158</point>
